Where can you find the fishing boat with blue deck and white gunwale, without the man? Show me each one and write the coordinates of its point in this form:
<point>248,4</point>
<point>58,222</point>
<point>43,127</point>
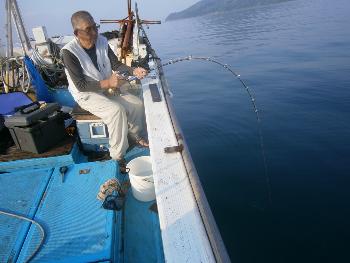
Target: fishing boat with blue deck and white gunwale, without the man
<point>48,206</point>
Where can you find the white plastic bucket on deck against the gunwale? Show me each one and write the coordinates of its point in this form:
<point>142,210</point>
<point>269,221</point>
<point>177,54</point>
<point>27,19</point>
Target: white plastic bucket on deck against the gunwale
<point>141,178</point>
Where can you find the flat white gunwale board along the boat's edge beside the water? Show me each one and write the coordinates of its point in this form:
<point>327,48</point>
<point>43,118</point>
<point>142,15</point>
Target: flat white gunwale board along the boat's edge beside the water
<point>183,233</point>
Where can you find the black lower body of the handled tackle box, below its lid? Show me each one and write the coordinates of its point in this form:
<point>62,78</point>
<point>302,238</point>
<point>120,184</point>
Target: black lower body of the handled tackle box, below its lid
<point>40,136</point>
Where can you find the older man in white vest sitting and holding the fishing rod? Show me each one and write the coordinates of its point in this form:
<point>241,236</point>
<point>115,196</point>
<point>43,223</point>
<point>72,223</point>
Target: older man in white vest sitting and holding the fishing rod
<point>90,63</point>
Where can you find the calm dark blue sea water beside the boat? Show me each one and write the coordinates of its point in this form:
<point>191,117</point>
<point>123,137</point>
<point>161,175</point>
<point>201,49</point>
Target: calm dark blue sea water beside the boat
<point>295,56</point>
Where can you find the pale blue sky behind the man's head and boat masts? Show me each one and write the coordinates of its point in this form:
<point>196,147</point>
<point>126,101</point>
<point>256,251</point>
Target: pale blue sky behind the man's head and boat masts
<point>55,15</point>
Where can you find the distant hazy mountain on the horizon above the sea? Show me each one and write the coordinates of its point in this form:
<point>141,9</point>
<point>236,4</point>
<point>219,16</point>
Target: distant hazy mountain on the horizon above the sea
<point>211,6</point>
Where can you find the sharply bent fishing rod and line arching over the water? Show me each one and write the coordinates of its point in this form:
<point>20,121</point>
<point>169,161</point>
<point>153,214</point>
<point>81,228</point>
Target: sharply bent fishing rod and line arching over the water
<point>252,99</point>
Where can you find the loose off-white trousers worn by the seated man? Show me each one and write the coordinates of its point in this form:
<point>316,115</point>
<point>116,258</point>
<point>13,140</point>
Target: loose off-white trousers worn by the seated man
<point>123,114</point>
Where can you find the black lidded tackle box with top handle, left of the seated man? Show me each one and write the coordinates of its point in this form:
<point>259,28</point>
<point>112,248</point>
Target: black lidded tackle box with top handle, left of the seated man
<point>36,128</point>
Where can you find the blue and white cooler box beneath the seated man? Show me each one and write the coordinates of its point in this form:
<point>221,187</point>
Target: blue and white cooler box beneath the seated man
<point>92,131</point>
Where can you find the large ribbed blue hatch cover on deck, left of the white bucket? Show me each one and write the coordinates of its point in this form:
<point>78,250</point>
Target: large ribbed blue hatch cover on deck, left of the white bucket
<point>77,228</point>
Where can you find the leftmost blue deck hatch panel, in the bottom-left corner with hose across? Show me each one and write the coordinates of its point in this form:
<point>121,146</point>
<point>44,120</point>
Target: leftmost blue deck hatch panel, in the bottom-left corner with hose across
<point>20,192</point>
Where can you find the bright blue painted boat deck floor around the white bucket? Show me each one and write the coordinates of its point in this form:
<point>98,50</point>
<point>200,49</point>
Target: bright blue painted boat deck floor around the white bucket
<point>77,228</point>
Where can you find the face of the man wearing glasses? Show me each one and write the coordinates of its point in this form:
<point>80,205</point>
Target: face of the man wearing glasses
<point>87,32</point>
